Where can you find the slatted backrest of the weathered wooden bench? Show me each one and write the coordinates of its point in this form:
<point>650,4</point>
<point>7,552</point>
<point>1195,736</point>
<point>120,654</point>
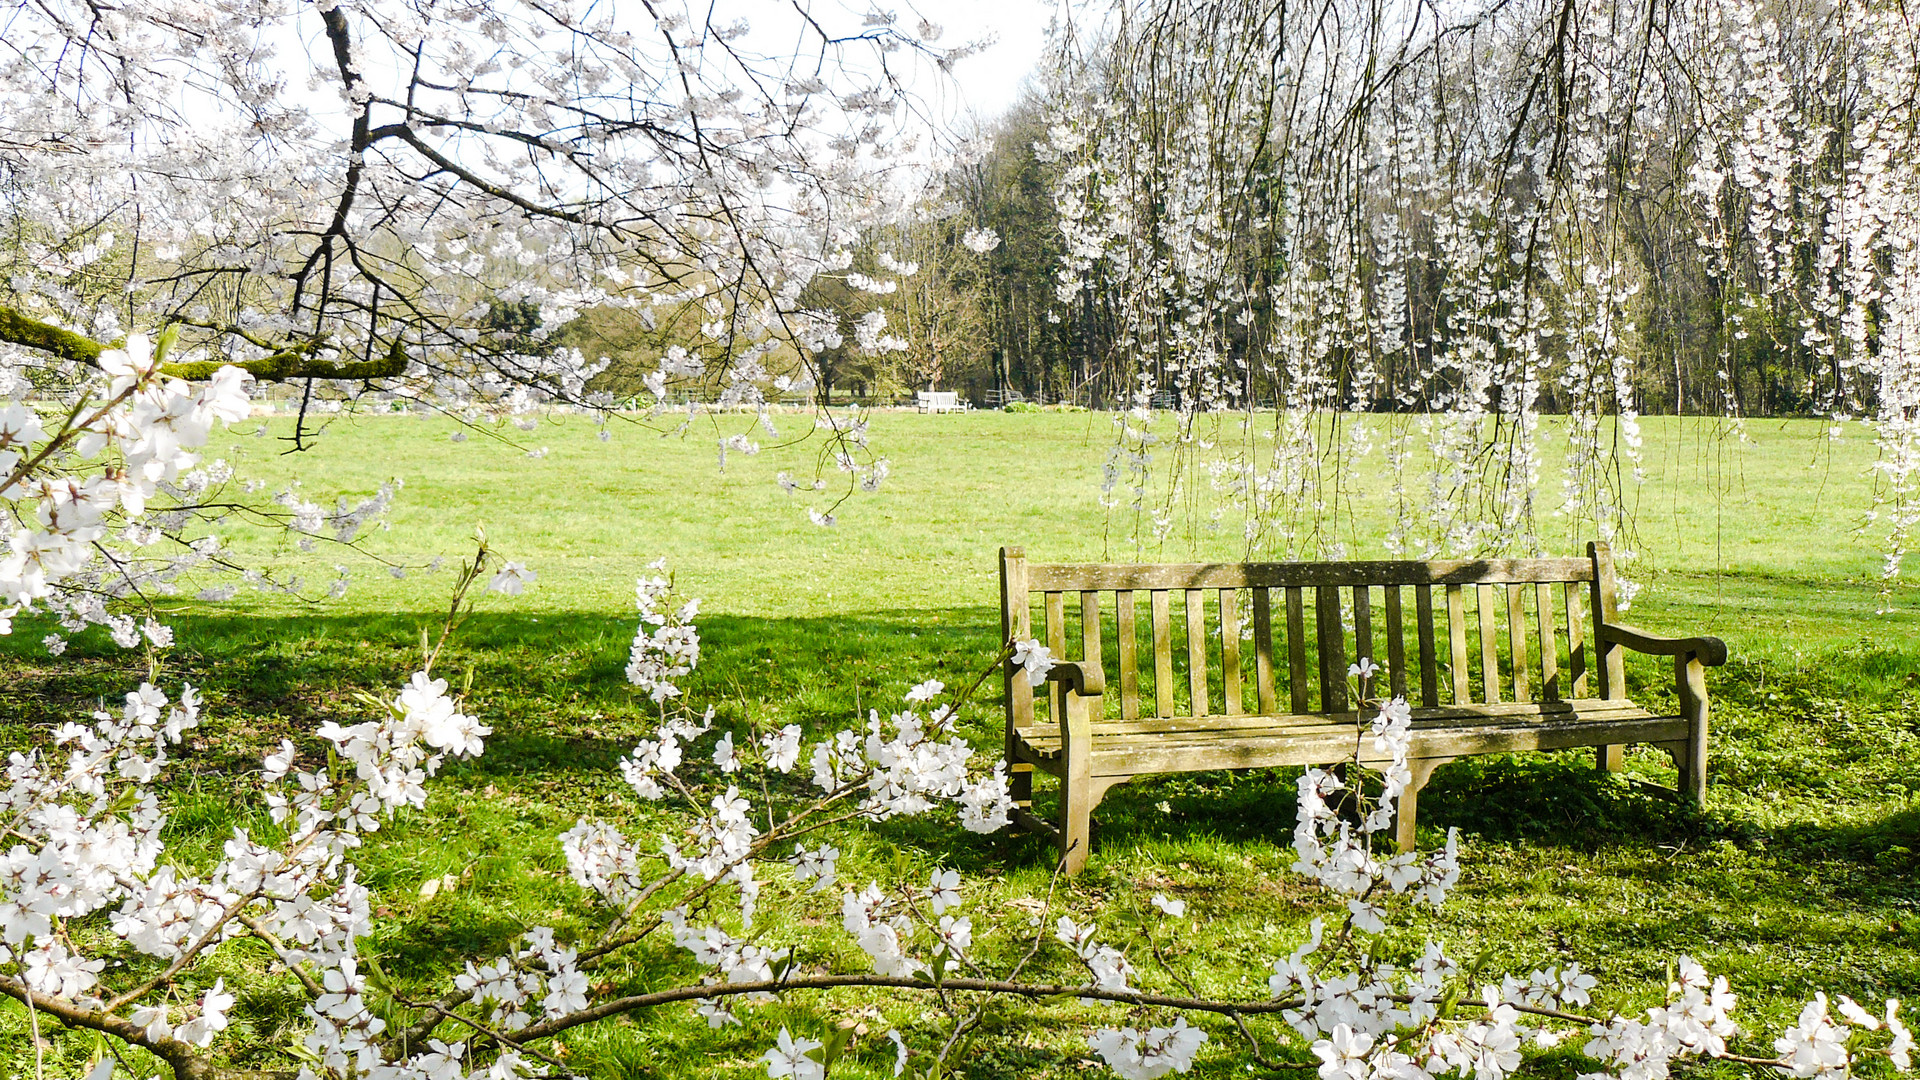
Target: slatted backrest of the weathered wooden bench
<point>1272,639</point>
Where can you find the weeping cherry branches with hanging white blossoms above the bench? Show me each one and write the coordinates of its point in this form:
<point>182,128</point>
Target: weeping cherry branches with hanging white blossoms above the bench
<point>1458,216</point>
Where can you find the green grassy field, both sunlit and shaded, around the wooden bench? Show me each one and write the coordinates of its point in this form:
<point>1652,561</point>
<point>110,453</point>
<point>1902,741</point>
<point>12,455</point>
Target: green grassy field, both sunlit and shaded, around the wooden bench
<point>1800,875</point>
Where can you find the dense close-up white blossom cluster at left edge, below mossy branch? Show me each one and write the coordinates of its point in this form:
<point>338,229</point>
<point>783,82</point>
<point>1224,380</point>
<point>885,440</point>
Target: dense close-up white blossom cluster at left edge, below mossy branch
<point>112,504</point>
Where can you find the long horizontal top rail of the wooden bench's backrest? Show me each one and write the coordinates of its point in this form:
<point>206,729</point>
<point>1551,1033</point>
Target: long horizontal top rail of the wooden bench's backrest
<point>1113,577</point>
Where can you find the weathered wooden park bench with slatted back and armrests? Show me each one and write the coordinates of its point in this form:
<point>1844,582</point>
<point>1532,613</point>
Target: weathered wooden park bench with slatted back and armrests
<point>1239,666</point>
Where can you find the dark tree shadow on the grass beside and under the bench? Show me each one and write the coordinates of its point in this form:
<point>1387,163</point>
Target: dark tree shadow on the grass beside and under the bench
<point>556,693</point>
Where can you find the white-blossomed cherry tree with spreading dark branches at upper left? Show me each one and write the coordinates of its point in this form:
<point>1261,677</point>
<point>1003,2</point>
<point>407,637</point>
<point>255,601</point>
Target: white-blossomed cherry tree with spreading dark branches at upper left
<point>398,197</point>
